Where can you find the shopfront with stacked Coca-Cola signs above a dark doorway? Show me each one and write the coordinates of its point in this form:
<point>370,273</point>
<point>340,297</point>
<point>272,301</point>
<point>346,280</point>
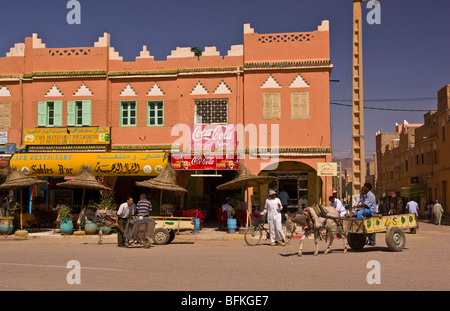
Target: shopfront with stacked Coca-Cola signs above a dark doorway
<point>210,161</point>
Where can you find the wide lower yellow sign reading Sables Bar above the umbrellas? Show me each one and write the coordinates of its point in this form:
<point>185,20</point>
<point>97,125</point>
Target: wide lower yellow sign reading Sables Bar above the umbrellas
<point>102,164</point>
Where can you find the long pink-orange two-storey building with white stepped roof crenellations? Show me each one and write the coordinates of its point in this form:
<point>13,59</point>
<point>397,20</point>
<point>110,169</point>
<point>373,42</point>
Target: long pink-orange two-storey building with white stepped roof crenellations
<point>275,85</point>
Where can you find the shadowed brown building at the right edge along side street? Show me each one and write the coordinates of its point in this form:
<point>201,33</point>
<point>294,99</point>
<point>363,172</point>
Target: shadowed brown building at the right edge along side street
<point>412,161</point>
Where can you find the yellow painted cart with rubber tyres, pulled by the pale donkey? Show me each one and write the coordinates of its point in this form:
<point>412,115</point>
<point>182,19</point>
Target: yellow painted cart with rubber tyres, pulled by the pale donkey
<point>359,229</point>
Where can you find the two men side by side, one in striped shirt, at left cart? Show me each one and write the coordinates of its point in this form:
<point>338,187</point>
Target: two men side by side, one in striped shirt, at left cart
<point>129,209</point>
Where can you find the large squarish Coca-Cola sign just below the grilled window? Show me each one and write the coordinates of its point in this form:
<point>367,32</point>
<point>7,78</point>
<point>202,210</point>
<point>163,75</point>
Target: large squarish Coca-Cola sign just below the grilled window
<point>214,137</point>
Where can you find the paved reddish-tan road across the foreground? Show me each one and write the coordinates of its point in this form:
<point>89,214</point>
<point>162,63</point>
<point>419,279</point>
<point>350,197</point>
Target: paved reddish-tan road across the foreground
<point>41,264</point>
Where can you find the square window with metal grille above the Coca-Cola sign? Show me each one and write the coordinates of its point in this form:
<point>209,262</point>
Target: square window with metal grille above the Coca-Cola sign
<point>211,111</point>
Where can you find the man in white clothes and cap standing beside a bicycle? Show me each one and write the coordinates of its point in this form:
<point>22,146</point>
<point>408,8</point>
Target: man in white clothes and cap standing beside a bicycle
<point>273,209</point>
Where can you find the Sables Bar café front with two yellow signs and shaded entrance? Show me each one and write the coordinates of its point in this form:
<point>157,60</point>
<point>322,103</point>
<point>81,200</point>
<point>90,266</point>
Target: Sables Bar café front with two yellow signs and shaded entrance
<point>46,158</point>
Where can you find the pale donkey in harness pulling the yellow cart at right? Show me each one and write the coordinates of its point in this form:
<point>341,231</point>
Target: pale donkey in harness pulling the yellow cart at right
<point>312,223</point>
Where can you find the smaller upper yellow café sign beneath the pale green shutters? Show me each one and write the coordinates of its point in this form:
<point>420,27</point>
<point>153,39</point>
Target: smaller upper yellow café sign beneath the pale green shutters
<point>67,136</point>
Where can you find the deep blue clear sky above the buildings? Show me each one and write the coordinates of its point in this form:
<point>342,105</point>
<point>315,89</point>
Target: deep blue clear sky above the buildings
<point>406,56</point>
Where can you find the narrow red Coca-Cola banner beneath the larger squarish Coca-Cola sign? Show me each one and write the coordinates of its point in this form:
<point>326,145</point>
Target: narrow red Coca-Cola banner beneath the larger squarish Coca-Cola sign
<point>205,162</point>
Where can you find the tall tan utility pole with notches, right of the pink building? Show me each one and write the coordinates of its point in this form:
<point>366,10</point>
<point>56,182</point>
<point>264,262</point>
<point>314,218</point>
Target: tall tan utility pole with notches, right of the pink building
<point>357,101</point>
